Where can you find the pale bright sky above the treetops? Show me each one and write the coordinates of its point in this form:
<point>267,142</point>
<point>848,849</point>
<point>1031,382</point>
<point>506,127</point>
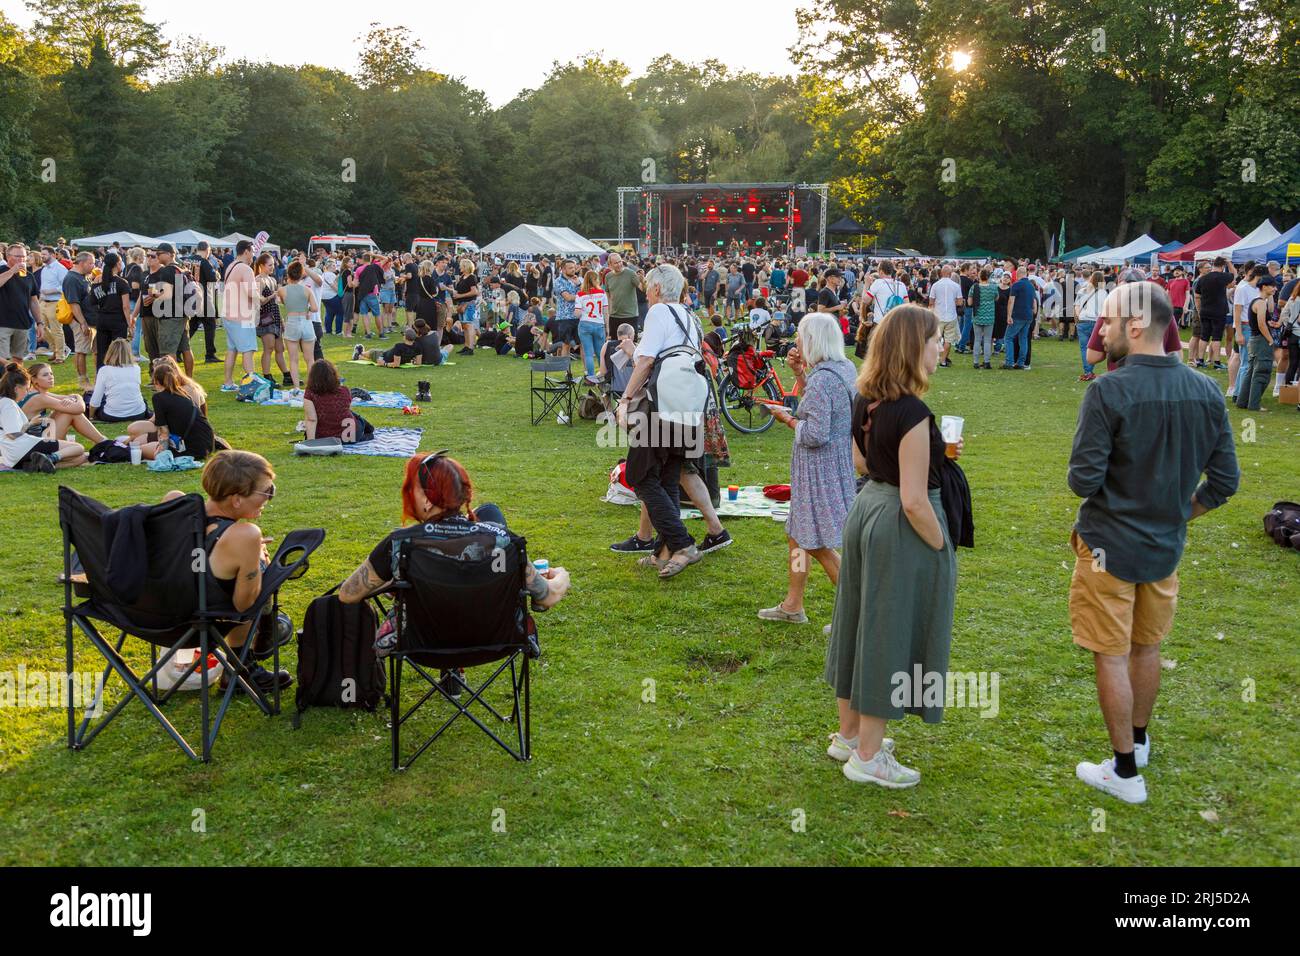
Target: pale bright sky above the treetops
<point>500,47</point>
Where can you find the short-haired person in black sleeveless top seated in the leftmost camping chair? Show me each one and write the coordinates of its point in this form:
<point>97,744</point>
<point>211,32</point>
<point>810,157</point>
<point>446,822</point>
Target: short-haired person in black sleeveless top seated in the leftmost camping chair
<point>239,485</point>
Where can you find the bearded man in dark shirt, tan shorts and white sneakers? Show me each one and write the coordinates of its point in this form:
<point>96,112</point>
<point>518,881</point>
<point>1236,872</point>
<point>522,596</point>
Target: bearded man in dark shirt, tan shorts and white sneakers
<point>1147,432</point>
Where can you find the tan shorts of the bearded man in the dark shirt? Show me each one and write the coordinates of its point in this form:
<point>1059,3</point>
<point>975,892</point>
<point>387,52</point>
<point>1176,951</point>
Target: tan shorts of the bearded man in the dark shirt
<point>1110,616</point>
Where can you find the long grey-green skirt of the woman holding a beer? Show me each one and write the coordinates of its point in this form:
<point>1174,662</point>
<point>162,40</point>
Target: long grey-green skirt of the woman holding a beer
<point>894,611</point>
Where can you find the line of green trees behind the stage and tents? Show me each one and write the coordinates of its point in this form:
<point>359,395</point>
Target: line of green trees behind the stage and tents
<point>1120,116</point>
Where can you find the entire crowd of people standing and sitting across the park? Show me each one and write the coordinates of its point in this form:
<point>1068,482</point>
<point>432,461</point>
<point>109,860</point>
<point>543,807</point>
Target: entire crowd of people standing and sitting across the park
<point>876,496</point>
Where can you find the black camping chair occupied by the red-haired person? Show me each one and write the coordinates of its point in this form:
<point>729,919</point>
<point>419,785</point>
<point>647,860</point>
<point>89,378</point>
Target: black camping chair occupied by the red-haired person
<point>462,603</point>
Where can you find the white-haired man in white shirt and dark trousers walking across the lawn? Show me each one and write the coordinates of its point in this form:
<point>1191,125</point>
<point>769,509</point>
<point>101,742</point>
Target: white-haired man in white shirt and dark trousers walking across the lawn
<point>656,455</point>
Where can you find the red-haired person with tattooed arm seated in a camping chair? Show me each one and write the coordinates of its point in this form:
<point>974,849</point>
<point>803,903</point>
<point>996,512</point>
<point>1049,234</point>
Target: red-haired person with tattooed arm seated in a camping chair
<point>437,495</point>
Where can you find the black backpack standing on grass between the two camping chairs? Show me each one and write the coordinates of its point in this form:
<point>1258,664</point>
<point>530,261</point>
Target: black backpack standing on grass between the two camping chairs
<point>337,667</point>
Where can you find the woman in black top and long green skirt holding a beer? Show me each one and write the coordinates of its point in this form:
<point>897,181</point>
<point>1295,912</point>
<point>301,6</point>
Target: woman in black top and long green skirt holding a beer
<point>894,611</point>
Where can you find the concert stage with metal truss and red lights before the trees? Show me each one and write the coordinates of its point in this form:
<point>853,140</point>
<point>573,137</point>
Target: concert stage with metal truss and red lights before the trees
<point>726,218</point>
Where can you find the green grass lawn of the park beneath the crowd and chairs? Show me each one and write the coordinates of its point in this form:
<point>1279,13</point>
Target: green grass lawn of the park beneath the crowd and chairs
<point>731,752</point>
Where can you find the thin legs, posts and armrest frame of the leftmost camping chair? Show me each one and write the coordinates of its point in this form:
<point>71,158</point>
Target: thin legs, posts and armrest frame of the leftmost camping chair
<point>210,641</point>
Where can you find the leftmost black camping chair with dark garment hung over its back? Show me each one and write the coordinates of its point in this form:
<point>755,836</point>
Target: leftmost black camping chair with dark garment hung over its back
<point>171,611</point>
